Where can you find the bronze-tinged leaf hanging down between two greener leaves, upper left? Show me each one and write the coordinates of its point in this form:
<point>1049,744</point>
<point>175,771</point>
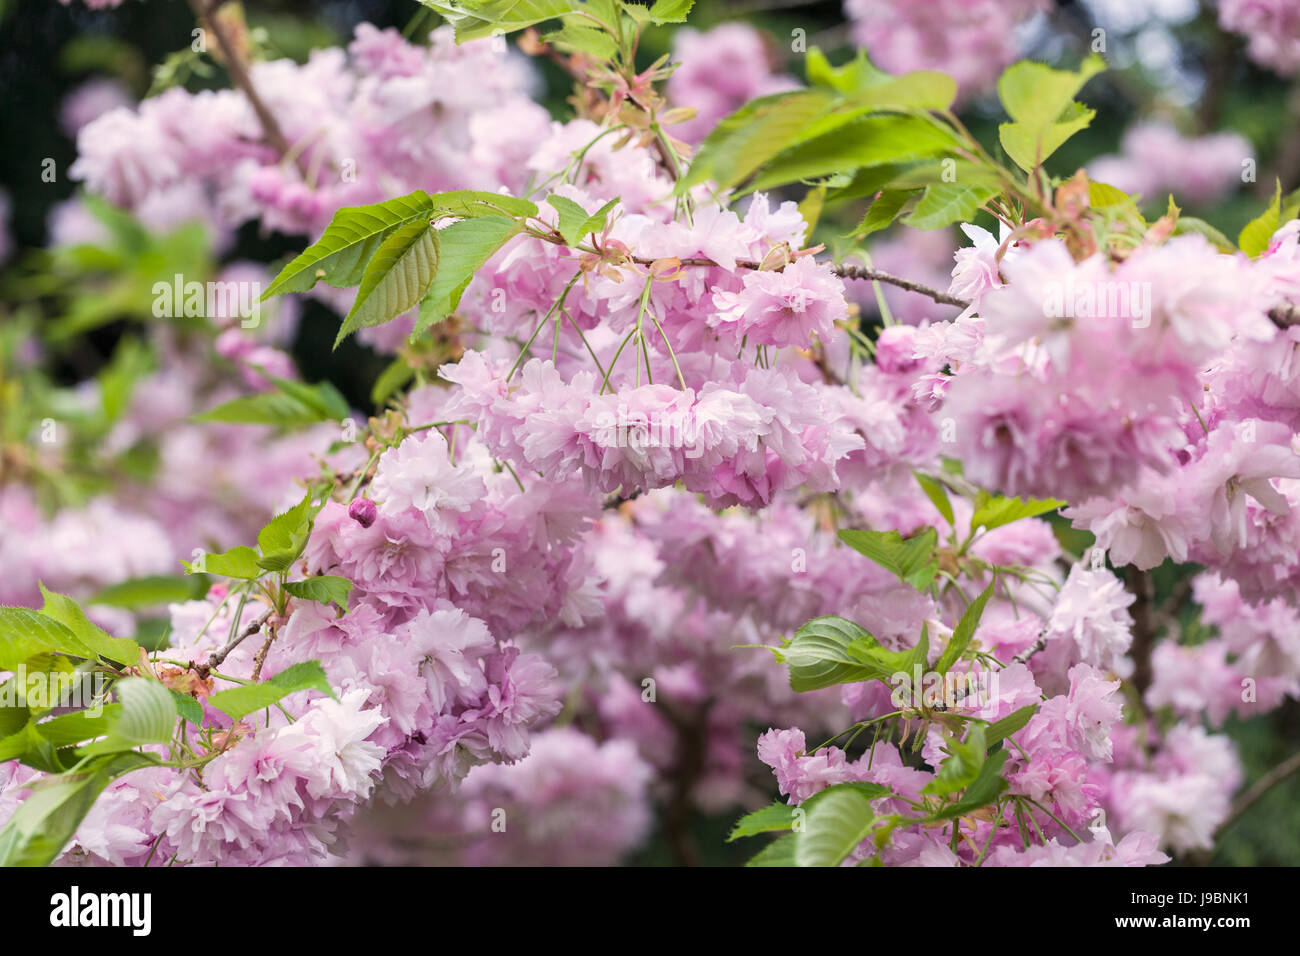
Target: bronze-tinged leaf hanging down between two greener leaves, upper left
<point>396,279</point>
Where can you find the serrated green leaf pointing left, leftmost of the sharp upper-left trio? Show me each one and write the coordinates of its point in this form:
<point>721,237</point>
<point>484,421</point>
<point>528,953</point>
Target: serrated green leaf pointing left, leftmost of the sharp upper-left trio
<point>349,243</point>
